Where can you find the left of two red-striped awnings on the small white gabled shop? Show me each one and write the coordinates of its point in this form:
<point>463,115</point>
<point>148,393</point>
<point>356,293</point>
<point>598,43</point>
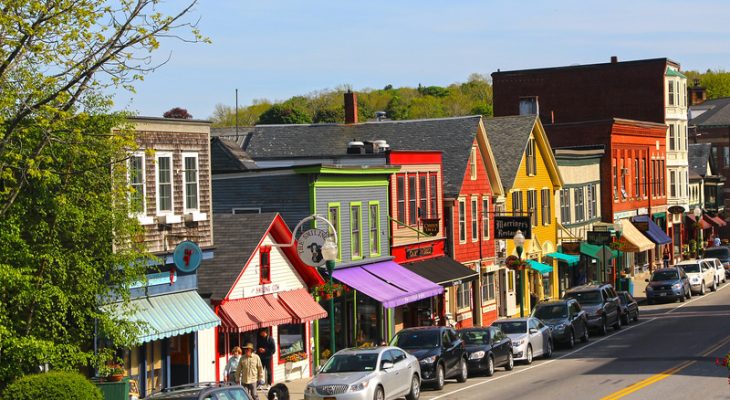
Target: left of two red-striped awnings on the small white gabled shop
<point>254,313</point>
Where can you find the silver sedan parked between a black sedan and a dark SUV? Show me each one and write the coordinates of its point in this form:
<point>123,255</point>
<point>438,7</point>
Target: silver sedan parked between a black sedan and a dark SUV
<point>530,338</point>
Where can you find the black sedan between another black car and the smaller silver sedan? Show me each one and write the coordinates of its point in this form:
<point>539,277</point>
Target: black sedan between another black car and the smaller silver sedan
<point>487,348</point>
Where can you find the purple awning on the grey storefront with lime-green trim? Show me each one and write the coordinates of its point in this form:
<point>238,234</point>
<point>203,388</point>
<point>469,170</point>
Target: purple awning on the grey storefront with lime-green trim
<point>388,282</point>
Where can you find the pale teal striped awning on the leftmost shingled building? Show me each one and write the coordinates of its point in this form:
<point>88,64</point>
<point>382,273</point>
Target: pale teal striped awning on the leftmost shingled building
<point>168,315</point>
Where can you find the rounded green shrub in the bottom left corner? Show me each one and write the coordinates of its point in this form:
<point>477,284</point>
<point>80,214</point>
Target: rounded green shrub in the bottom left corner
<point>56,385</point>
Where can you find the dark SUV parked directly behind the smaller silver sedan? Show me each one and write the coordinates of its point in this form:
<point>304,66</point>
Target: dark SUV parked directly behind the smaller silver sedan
<point>566,319</point>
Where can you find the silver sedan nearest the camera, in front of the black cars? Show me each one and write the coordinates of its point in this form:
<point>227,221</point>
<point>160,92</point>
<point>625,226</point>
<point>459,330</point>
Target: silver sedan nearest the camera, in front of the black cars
<point>367,373</point>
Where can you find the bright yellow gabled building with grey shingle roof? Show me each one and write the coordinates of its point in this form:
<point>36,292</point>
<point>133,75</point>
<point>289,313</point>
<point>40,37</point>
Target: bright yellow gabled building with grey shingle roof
<point>530,177</point>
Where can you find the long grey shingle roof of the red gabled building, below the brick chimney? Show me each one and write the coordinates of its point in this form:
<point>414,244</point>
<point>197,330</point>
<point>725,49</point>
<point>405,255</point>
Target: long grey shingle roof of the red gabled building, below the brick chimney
<point>452,136</point>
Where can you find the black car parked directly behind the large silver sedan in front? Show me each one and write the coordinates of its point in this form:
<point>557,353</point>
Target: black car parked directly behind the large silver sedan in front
<point>440,351</point>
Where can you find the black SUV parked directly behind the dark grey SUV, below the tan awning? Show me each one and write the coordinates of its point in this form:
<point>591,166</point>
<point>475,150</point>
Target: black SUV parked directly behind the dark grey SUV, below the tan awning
<point>601,304</point>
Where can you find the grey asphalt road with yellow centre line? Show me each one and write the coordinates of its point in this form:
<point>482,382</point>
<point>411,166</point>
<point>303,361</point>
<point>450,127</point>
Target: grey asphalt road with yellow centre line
<point>670,353</point>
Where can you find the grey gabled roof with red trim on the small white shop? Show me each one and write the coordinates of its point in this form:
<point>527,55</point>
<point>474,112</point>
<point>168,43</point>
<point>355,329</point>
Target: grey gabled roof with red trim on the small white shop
<point>237,237</point>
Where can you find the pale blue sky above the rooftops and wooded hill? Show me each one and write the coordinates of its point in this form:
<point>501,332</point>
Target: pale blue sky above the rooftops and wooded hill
<point>276,49</point>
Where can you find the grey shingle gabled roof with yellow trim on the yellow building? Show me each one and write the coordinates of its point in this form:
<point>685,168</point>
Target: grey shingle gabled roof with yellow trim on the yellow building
<point>508,136</point>
